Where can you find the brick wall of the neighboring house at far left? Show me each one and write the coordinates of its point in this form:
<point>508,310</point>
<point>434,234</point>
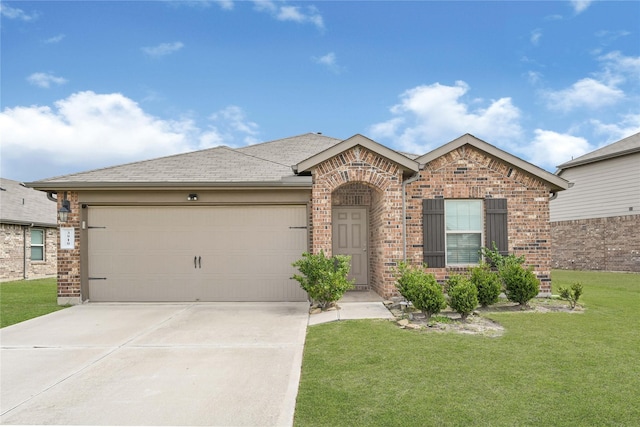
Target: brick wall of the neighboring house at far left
<point>16,243</point>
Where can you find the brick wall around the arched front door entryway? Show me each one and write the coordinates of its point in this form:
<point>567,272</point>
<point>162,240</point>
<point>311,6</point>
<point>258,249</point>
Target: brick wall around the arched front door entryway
<point>357,169</point>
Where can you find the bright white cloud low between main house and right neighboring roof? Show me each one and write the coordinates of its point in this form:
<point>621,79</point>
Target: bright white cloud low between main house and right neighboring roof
<point>550,149</point>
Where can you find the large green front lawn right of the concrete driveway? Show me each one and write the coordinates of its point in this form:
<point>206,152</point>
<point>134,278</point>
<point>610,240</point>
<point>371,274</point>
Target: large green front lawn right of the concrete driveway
<point>548,369</point>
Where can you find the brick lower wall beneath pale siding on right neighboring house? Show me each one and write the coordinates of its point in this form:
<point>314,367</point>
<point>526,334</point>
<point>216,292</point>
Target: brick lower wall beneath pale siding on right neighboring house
<point>609,244</point>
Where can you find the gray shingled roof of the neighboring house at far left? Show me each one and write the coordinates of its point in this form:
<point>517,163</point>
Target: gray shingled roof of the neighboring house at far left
<point>21,205</point>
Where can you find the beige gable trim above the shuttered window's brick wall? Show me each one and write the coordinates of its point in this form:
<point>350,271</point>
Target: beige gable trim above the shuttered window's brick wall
<point>556,182</point>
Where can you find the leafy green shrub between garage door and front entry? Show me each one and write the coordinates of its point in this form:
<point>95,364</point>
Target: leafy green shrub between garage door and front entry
<point>324,278</point>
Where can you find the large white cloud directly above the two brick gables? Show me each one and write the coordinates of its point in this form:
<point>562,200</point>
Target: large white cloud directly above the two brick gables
<point>428,116</point>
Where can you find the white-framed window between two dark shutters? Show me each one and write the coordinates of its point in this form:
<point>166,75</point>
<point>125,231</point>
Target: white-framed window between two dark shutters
<point>463,225</point>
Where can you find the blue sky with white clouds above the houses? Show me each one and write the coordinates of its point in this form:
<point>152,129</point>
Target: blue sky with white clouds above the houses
<point>89,84</point>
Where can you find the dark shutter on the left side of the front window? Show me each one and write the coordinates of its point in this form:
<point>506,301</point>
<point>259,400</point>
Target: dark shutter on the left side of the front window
<point>433,232</point>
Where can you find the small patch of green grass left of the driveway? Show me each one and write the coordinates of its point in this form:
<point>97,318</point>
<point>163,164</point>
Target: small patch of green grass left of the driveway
<point>25,299</point>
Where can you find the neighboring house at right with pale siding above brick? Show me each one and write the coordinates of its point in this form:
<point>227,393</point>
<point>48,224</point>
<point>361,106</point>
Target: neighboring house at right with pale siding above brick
<point>596,223</point>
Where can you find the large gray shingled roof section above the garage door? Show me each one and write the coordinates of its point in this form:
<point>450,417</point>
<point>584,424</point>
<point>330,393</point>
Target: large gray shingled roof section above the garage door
<point>265,163</point>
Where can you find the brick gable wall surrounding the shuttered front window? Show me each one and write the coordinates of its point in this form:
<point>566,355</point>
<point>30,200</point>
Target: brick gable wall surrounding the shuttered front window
<point>467,173</point>
